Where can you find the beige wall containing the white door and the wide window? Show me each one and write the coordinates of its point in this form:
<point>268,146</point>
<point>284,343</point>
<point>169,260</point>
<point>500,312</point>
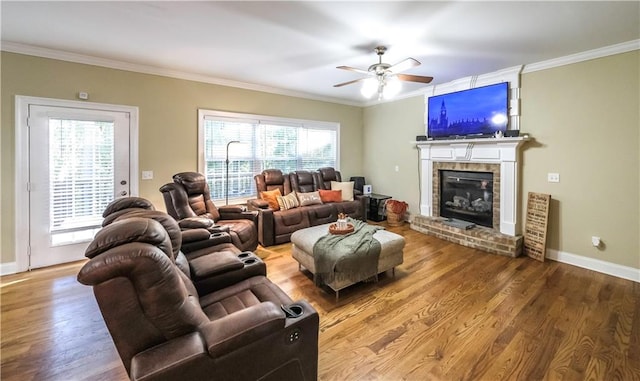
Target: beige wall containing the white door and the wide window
<point>168,118</point>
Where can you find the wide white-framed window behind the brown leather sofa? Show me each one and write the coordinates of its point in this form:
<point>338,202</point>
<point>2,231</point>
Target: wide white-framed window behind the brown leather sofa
<point>254,143</point>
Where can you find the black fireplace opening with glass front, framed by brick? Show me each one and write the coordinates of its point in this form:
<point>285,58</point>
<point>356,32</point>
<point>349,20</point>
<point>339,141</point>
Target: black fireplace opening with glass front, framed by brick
<point>467,196</point>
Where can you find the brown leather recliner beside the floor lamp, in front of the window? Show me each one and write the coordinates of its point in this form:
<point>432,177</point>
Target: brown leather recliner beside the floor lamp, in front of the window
<point>188,200</point>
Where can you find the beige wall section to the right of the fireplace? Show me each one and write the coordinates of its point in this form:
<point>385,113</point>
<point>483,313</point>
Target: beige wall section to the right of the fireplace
<point>586,120</point>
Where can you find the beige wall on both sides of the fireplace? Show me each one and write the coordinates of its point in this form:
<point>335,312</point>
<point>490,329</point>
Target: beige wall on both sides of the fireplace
<point>585,119</point>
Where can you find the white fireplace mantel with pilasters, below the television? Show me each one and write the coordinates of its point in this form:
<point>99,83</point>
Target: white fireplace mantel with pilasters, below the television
<point>503,151</point>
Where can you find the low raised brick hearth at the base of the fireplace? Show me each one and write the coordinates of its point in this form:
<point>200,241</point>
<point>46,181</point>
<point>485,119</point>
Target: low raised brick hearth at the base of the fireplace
<point>479,237</point>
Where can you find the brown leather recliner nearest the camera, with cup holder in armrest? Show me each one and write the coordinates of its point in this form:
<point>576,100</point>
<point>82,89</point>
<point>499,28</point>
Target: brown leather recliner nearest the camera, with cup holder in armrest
<point>164,330</point>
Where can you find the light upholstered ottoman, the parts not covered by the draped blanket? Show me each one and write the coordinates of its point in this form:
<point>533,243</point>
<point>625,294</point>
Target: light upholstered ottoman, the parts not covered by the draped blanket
<point>303,240</point>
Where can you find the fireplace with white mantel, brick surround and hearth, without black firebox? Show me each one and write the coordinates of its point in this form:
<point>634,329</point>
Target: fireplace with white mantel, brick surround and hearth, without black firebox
<point>498,156</point>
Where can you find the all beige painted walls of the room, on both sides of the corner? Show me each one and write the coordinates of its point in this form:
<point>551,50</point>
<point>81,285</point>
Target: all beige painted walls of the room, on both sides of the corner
<point>584,117</point>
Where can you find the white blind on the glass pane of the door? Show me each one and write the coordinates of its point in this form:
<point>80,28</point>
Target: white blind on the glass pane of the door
<point>81,178</point>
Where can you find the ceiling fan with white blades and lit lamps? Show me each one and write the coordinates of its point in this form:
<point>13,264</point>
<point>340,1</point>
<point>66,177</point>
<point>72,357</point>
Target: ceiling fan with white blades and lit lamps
<point>384,78</point>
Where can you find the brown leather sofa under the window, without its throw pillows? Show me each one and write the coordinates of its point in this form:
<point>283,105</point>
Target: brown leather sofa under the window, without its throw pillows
<point>276,226</point>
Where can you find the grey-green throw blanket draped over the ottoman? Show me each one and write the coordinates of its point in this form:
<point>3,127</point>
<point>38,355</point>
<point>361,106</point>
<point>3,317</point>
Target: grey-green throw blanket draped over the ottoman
<point>352,256</point>
